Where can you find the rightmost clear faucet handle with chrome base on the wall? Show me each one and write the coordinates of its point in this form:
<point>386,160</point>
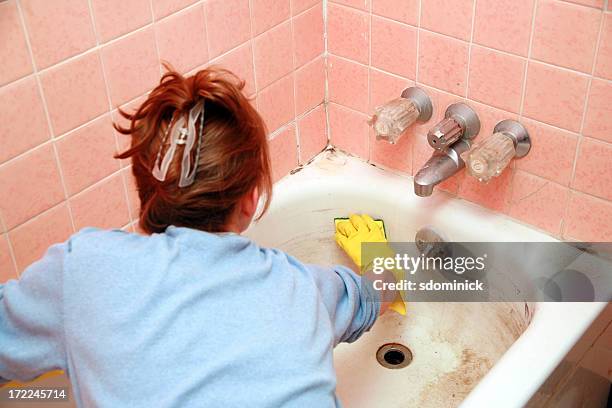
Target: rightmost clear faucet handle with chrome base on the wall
<point>489,158</point>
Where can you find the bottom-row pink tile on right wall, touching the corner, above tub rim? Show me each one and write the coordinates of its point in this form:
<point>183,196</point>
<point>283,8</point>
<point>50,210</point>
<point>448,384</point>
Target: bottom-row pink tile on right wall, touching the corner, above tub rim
<point>348,130</point>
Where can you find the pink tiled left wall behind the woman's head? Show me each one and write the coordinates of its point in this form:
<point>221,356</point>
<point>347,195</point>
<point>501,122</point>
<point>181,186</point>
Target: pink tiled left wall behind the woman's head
<point>61,84</point>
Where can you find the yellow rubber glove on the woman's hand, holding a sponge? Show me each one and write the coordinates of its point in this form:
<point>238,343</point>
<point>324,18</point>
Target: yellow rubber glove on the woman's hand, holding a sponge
<point>351,233</point>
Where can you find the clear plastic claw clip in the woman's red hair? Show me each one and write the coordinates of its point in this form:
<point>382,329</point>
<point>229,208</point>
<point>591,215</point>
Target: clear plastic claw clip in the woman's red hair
<point>182,135</point>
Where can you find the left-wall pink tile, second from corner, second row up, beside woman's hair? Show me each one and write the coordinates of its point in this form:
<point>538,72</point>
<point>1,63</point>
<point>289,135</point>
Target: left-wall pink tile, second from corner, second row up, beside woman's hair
<point>276,103</point>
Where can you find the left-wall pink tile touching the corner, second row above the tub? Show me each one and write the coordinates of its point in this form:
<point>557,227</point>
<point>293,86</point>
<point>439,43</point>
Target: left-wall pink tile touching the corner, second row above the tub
<point>310,85</point>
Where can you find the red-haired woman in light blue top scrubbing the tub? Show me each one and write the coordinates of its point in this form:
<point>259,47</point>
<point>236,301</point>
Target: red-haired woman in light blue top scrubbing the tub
<point>191,314</point>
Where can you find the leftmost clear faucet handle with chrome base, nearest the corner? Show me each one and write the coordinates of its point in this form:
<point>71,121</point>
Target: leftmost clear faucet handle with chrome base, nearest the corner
<point>392,119</point>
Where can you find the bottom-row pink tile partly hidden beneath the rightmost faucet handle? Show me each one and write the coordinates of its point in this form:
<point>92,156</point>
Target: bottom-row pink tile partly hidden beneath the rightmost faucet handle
<point>494,195</point>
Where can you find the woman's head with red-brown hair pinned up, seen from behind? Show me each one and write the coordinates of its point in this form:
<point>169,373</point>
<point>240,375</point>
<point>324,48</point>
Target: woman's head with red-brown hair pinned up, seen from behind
<point>233,166</point>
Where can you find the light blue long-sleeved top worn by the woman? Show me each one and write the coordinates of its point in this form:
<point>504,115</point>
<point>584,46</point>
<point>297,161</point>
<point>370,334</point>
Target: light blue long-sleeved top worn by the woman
<point>181,319</point>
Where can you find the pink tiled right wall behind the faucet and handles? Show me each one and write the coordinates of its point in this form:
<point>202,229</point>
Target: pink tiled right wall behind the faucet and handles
<point>547,63</point>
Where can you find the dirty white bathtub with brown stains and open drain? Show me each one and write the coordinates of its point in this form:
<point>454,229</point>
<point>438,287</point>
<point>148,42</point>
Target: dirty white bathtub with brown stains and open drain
<point>464,354</point>
